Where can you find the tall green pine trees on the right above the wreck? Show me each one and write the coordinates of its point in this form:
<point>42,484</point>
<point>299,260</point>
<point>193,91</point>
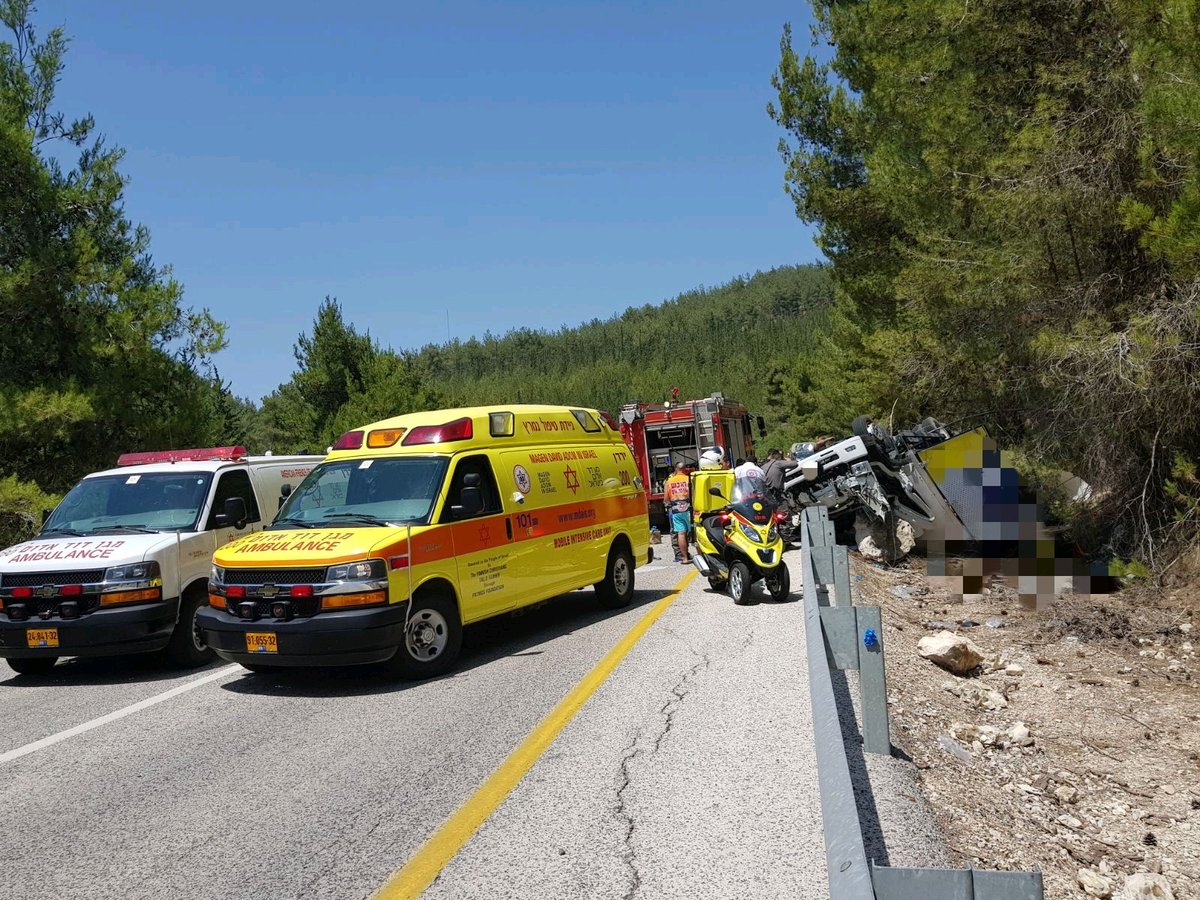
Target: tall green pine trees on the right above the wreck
<point>1010,199</point>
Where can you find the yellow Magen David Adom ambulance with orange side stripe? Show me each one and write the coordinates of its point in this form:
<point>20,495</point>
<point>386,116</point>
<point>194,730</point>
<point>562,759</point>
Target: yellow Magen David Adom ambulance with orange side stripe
<point>419,525</point>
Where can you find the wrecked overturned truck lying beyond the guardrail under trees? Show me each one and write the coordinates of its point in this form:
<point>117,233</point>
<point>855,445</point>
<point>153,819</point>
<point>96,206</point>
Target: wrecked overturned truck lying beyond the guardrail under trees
<point>884,493</point>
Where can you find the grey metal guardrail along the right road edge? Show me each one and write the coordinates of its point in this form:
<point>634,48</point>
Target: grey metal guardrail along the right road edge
<point>841,635</point>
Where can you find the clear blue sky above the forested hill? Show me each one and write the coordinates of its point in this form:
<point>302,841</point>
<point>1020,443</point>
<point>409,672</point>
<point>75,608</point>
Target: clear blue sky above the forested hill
<point>511,165</point>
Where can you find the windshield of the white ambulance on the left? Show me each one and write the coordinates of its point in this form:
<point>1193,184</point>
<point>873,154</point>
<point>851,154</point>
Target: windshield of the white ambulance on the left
<point>154,502</point>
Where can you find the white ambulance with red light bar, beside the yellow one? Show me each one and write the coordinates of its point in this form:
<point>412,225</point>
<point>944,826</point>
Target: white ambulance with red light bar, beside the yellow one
<point>123,565</point>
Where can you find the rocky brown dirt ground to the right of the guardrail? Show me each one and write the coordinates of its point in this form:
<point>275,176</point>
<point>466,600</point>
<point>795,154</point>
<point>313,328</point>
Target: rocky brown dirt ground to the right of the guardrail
<point>1073,748</point>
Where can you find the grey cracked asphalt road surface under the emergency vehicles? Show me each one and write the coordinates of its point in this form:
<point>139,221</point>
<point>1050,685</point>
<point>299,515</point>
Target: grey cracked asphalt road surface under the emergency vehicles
<point>689,773</point>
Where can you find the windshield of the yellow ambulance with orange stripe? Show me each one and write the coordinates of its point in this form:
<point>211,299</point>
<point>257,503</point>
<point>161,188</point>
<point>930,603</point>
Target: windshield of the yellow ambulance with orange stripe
<point>386,491</point>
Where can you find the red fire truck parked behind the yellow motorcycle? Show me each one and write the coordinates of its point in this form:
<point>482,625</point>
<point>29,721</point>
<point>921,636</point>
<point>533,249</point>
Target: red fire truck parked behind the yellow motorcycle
<point>661,435</point>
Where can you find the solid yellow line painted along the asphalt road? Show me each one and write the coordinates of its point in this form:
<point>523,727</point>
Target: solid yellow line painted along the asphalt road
<point>446,843</point>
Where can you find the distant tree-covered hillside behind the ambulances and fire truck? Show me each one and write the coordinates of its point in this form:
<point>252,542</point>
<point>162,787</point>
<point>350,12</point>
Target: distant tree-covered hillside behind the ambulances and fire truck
<point>742,339</point>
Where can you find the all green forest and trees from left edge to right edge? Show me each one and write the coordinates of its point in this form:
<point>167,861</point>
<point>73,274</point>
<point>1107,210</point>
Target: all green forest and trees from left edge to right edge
<point>1007,195</point>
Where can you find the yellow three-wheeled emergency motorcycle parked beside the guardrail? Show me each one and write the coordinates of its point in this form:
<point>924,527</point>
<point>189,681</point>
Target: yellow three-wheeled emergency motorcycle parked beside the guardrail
<point>737,536</point>
